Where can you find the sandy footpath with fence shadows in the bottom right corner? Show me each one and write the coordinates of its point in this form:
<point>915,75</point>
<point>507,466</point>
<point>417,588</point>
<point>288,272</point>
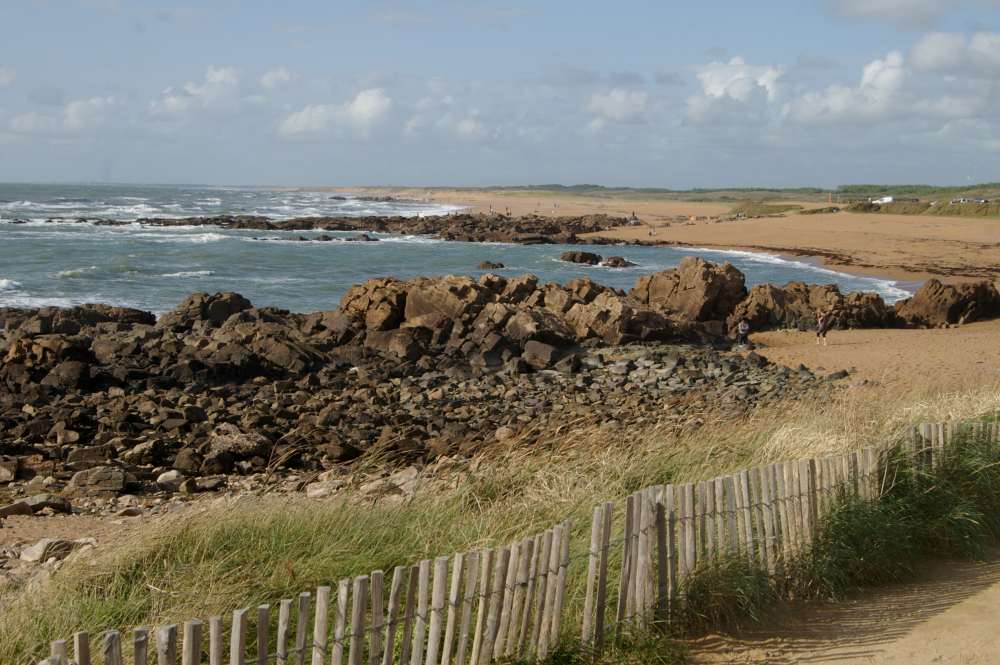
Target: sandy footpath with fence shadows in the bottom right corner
<point>948,617</point>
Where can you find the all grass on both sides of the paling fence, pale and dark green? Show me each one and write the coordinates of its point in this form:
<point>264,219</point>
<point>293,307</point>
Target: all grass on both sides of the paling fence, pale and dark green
<point>221,555</point>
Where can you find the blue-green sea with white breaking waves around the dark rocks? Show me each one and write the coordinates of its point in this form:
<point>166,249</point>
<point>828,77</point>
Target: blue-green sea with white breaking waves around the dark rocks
<point>63,263</point>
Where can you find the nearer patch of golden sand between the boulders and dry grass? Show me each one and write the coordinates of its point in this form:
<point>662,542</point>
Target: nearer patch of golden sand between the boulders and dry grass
<point>943,359</point>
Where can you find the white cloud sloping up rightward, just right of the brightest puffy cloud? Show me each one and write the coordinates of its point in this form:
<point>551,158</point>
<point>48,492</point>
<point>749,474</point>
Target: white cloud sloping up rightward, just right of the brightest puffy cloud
<point>875,95</point>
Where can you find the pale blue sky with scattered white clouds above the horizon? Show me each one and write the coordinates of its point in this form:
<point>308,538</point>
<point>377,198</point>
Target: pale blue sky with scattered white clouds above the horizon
<point>441,92</point>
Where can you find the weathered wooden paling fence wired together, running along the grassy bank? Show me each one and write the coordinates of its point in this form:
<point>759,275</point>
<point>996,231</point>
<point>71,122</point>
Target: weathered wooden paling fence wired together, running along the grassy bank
<point>509,603</point>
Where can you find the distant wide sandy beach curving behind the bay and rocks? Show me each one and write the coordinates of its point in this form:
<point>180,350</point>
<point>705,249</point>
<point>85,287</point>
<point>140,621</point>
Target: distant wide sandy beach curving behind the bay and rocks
<point>905,248</point>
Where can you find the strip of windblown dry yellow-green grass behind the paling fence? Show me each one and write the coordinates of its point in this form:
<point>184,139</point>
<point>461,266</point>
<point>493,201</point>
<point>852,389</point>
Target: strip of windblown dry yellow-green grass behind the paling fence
<point>218,556</point>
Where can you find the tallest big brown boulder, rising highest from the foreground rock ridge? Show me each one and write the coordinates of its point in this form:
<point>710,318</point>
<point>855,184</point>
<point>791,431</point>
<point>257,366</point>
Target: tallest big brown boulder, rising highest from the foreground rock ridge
<point>695,290</point>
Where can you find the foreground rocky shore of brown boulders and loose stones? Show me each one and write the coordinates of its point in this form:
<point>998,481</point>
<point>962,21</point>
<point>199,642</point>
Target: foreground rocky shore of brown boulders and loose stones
<point>99,401</point>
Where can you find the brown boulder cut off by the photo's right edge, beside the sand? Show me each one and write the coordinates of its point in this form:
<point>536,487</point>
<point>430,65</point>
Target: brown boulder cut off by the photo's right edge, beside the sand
<point>936,304</point>
